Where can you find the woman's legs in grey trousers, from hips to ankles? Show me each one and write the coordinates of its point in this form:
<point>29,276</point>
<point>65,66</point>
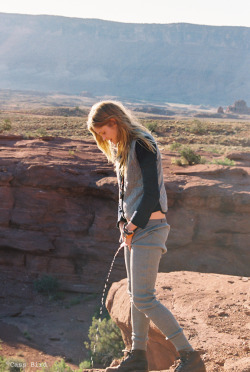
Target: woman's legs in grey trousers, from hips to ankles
<point>144,265</point>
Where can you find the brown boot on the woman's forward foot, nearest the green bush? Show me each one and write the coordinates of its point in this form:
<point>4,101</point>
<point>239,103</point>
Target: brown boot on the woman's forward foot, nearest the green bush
<point>134,361</point>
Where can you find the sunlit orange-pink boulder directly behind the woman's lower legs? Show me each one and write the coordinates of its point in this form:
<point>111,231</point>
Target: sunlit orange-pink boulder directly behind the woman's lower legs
<point>211,308</point>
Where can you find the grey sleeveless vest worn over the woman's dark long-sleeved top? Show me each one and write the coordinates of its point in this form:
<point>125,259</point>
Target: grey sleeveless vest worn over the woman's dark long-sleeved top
<point>133,184</point>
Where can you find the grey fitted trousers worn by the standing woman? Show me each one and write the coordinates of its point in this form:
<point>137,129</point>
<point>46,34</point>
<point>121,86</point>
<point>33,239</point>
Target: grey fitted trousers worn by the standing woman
<point>142,264</point>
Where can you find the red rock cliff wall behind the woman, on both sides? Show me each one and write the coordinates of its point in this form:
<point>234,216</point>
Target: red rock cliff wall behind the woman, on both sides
<point>58,203</point>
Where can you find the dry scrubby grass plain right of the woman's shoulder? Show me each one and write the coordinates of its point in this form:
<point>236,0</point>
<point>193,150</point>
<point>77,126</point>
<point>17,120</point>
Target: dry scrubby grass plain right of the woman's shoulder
<point>216,136</point>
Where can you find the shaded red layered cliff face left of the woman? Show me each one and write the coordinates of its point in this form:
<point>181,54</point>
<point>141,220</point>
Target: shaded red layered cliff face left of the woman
<point>58,203</point>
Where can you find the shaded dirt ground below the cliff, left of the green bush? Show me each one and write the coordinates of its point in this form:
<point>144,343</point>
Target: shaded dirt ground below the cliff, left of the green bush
<point>39,330</point>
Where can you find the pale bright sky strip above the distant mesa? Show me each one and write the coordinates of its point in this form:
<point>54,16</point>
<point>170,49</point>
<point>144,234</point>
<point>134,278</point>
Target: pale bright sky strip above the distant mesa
<point>206,12</point>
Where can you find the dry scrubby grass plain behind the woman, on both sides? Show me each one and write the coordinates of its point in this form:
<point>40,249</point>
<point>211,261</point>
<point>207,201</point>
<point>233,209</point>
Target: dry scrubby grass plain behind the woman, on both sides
<point>214,136</point>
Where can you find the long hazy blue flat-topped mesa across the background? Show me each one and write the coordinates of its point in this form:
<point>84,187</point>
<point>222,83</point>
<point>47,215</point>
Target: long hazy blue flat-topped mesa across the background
<point>174,62</point>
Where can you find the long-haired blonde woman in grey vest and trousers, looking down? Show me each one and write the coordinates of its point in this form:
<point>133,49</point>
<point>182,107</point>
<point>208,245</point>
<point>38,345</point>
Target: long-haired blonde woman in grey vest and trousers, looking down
<point>142,222</point>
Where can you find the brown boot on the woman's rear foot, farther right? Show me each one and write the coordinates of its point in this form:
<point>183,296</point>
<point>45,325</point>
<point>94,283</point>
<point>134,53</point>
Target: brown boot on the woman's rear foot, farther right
<point>190,362</point>
